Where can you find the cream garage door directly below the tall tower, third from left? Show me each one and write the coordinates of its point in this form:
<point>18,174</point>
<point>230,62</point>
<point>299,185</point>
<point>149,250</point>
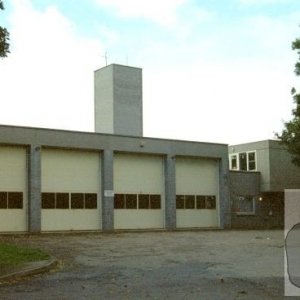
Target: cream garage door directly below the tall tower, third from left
<point>139,192</point>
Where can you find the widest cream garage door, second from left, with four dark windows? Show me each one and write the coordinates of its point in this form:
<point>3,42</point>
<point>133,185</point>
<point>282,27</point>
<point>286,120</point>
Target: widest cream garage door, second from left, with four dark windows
<point>70,190</point>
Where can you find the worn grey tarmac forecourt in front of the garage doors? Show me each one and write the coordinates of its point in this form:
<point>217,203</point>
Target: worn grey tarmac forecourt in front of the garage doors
<point>155,265</point>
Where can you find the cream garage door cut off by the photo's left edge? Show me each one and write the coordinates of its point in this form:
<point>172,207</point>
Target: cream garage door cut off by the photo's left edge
<point>13,189</point>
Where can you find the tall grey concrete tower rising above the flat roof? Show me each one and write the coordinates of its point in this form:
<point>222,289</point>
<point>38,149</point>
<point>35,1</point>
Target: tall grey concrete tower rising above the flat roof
<point>119,100</point>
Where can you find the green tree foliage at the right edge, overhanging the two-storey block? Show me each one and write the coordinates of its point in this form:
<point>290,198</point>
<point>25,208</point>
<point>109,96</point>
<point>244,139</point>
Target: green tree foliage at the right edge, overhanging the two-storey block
<point>290,135</point>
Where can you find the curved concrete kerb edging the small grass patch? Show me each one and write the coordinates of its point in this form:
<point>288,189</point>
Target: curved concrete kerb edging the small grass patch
<point>34,268</point>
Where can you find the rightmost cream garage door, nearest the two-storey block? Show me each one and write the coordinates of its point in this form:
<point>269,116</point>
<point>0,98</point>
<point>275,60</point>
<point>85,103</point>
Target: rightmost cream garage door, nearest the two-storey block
<point>197,193</point>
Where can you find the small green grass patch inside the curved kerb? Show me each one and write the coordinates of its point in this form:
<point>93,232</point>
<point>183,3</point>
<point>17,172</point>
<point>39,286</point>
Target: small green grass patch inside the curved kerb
<point>13,255</point>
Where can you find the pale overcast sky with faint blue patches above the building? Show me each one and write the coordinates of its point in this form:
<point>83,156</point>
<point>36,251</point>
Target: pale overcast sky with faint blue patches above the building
<point>213,70</point>
